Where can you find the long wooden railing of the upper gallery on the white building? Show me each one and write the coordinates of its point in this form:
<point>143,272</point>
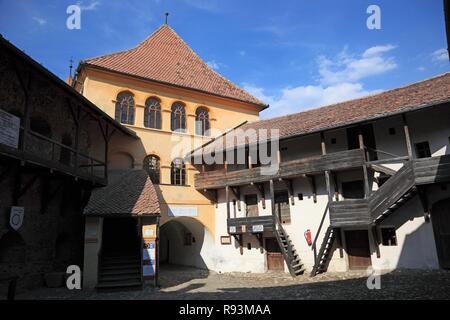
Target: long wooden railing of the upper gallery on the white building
<point>288,169</point>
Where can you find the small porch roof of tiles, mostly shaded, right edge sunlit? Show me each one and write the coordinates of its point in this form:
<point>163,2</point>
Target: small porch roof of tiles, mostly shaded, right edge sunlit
<point>131,194</point>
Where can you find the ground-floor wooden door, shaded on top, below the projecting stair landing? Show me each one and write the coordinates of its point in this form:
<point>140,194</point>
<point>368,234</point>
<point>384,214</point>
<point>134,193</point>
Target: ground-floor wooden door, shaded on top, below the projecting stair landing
<point>358,249</point>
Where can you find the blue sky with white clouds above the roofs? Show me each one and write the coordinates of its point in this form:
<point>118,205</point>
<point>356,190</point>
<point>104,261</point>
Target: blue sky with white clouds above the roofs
<point>293,54</point>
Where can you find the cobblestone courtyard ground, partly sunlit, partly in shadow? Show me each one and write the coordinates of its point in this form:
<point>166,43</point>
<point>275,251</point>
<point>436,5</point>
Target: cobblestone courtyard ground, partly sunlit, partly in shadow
<point>190,284</point>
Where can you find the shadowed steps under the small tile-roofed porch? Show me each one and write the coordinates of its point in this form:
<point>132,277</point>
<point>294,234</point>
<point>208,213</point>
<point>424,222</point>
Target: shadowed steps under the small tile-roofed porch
<point>120,272</point>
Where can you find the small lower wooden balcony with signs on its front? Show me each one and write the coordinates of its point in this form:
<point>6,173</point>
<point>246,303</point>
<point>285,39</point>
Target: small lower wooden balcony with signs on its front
<point>250,225</point>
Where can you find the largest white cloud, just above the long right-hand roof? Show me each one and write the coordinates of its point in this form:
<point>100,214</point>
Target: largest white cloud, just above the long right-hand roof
<point>339,80</point>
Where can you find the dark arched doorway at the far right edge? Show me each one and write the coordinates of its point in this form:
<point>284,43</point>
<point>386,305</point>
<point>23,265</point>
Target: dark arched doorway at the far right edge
<point>440,216</point>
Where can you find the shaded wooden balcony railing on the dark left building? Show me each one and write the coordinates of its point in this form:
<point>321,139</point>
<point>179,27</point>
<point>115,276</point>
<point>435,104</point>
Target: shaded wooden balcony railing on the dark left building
<point>44,152</point>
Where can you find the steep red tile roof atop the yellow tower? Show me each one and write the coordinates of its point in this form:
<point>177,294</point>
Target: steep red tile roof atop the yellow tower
<point>165,57</point>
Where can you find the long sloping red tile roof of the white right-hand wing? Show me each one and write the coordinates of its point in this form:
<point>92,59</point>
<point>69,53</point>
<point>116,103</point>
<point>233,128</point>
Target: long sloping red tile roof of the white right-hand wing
<point>417,95</point>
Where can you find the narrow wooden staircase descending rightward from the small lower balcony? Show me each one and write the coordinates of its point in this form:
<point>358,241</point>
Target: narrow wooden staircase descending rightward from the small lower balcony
<point>290,254</point>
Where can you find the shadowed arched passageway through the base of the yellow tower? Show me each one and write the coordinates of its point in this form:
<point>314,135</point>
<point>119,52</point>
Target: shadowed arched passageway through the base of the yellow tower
<point>182,241</point>
